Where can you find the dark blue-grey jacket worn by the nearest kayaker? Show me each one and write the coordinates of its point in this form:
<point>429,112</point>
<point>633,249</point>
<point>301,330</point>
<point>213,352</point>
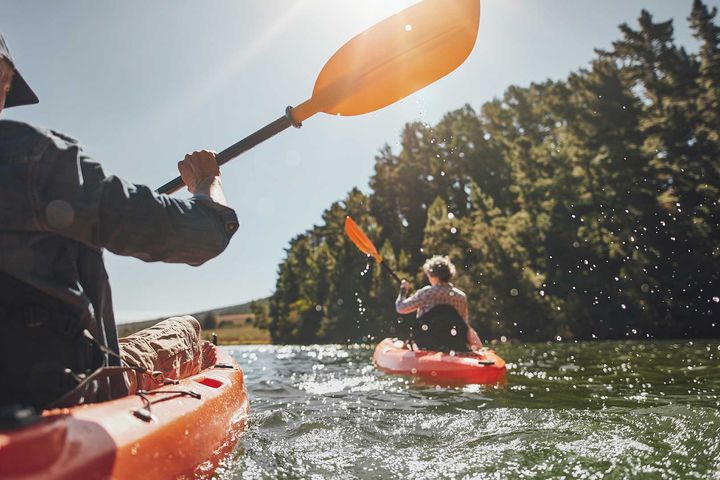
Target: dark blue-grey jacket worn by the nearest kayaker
<point>59,211</point>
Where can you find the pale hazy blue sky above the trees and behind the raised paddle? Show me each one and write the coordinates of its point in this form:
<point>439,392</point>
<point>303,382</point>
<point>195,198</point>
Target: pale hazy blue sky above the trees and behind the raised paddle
<point>141,83</point>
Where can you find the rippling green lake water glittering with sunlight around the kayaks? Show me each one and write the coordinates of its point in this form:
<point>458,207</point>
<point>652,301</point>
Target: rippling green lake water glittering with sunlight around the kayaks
<point>585,410</point>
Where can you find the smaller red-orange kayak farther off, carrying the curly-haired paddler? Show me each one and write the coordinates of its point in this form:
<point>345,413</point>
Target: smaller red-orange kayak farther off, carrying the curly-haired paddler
<point>391,356</point>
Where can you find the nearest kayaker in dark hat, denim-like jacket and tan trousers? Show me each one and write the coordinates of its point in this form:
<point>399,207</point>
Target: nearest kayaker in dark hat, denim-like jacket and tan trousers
<point>58,212</point>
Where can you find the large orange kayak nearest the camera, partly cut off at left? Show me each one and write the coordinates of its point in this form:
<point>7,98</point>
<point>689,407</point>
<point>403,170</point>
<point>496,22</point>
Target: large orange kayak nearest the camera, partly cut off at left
<point>186,437</point>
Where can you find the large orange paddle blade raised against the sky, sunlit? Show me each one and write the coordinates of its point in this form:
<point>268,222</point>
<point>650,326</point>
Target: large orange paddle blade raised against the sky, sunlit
<point>395,58</point>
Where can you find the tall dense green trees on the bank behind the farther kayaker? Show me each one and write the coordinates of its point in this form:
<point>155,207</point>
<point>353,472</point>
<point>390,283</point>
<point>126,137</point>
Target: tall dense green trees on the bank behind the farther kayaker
<point>583,208</point>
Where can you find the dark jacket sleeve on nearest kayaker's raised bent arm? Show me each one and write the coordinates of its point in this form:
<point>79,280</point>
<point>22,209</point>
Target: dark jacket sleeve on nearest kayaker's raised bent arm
<point>76,199</point>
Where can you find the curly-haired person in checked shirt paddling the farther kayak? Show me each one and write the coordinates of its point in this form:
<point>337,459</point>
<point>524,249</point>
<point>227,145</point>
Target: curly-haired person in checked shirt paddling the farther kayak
<point>439,327</point>
